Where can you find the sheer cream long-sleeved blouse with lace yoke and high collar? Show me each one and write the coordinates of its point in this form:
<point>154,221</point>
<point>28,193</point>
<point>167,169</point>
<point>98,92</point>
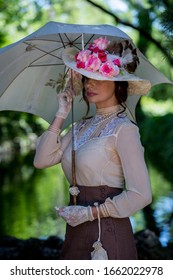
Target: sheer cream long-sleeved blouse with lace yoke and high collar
<point>108,151</point>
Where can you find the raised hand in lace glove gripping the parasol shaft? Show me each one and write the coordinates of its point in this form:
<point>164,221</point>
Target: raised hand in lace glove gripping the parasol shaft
<point>65,102</point>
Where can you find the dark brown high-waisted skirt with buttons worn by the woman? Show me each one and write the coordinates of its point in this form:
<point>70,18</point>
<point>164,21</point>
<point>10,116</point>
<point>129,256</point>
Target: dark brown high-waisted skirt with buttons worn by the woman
<point>116,233</point>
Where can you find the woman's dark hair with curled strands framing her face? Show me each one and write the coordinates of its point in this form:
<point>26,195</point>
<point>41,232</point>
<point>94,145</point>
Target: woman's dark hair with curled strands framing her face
<point>120,94</point>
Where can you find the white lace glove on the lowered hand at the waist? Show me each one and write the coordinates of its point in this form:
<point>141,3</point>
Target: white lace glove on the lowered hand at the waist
<point>75,215</point>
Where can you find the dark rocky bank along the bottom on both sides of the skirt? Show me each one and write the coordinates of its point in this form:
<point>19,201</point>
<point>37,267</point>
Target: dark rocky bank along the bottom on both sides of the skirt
<point>11,248</point>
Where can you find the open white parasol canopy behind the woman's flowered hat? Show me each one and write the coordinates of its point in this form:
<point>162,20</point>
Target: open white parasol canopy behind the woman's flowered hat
<point>27,65</point>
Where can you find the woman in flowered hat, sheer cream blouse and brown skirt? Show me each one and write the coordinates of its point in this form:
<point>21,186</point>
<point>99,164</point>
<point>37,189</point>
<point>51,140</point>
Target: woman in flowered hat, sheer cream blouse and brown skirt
<point>109,159</point>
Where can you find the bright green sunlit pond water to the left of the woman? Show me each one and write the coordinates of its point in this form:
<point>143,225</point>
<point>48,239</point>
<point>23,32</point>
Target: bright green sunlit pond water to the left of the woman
<point>28,211</point>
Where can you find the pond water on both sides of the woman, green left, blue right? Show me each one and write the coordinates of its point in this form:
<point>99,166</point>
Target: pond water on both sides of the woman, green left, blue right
<point>28,210</point>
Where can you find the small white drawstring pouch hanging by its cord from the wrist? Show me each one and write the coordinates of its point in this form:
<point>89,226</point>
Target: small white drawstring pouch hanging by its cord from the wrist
<point>99,253</point>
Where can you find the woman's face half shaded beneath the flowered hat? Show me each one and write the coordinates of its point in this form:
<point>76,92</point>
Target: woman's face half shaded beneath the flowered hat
<point>102,93</point>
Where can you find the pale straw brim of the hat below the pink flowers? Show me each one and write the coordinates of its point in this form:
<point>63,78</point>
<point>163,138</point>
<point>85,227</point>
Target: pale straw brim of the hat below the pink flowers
<point>136,85</point>
